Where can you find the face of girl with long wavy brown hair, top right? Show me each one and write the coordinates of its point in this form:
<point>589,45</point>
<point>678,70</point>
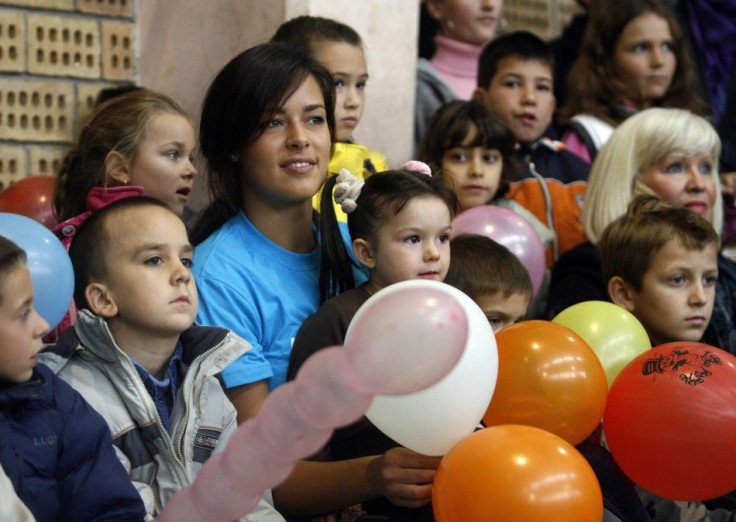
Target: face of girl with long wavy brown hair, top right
<point>644,59</point>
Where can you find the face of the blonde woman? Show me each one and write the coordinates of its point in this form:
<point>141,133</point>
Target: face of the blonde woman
<point>684,180</point>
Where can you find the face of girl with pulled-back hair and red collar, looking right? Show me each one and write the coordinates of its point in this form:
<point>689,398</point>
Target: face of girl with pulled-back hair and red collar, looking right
<point>162,165</point>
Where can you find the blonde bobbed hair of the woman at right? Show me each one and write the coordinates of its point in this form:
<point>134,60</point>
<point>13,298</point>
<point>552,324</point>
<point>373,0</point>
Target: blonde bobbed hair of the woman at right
<point>638,143</point>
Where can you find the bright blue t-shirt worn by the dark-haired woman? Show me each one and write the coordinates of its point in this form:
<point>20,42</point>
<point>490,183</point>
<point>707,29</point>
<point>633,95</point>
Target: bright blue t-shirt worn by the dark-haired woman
<point>262,292</point>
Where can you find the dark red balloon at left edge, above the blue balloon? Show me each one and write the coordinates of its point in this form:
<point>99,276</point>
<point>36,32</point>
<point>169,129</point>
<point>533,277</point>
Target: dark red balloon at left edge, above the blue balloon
<point>31,197</point>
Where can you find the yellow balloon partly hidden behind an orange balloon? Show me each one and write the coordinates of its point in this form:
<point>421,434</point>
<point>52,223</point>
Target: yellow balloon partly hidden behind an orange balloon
<point>614,334</point>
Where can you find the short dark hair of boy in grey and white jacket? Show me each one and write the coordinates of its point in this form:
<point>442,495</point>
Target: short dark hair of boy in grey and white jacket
<point>89,248</point>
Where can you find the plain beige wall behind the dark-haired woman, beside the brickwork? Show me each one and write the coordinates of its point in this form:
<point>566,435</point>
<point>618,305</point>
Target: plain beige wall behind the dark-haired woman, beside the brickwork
<point>184,43</point>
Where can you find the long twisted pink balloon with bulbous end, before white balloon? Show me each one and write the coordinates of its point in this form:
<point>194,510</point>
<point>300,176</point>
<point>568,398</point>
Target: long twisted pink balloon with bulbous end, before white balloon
<point>408,340</point>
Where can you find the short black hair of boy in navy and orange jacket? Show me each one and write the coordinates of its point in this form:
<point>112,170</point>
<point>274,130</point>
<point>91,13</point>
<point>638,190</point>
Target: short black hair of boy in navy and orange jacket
<point>521,44</point>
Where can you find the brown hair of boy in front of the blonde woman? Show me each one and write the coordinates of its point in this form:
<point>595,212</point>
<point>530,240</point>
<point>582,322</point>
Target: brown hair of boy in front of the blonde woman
<point>628,245</point>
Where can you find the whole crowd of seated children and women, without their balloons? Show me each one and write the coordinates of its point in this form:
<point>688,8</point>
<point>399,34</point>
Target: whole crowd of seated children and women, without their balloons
<point>176,336</point>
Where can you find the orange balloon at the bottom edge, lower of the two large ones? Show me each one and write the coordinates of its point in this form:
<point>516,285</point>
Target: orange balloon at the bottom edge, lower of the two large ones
<point>515,473</point>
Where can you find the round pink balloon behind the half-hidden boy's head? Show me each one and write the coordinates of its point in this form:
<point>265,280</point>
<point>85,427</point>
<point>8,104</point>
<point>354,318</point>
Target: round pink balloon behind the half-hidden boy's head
<point>511,230</point>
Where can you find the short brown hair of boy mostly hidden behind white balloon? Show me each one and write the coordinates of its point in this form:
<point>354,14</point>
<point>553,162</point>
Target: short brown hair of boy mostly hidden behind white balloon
<point>481,266</point>
